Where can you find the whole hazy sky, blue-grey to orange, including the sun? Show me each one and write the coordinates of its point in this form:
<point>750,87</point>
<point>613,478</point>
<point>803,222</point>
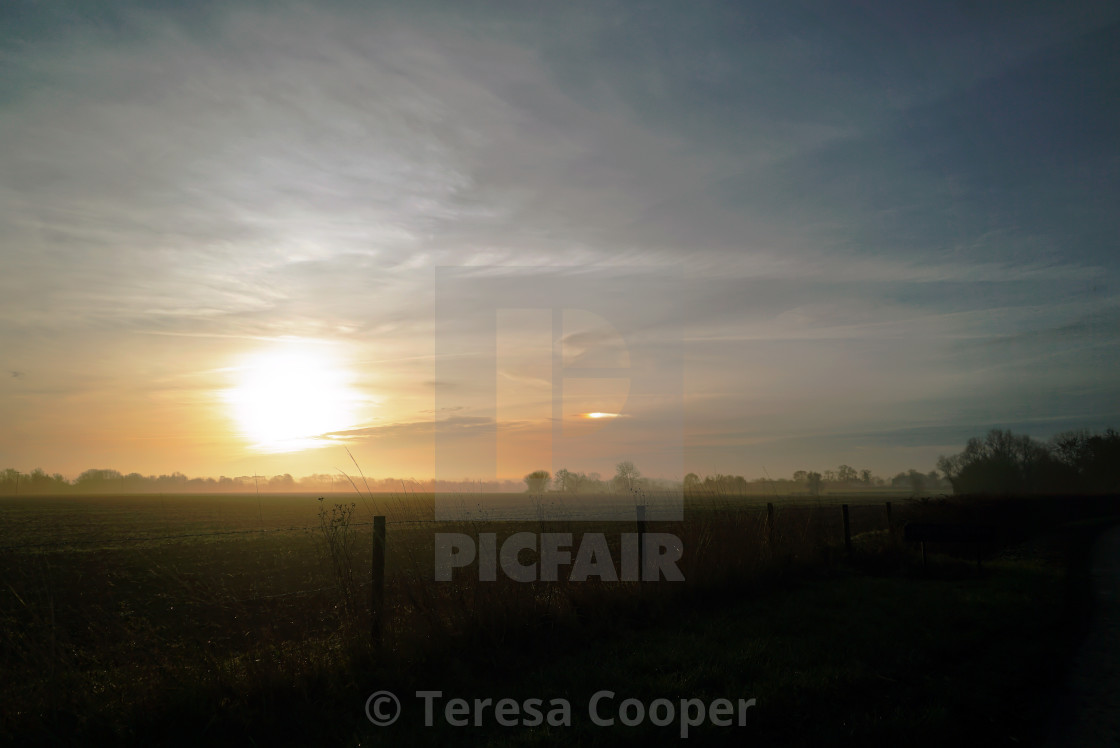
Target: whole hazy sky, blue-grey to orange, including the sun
<point>839,233</point>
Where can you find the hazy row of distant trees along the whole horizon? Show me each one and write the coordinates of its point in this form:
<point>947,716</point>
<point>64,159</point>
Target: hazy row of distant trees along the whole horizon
<point>1000,463</point>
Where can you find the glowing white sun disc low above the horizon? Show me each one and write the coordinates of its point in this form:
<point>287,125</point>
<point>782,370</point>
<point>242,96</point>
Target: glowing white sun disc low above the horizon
<point>286,400</point>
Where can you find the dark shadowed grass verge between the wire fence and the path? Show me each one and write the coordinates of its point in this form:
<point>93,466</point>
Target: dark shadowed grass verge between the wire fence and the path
<point>842,660</point>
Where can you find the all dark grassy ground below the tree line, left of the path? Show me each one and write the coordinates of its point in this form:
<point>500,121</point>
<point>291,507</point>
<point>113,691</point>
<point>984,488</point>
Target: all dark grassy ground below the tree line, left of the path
<point>265,637</point>
